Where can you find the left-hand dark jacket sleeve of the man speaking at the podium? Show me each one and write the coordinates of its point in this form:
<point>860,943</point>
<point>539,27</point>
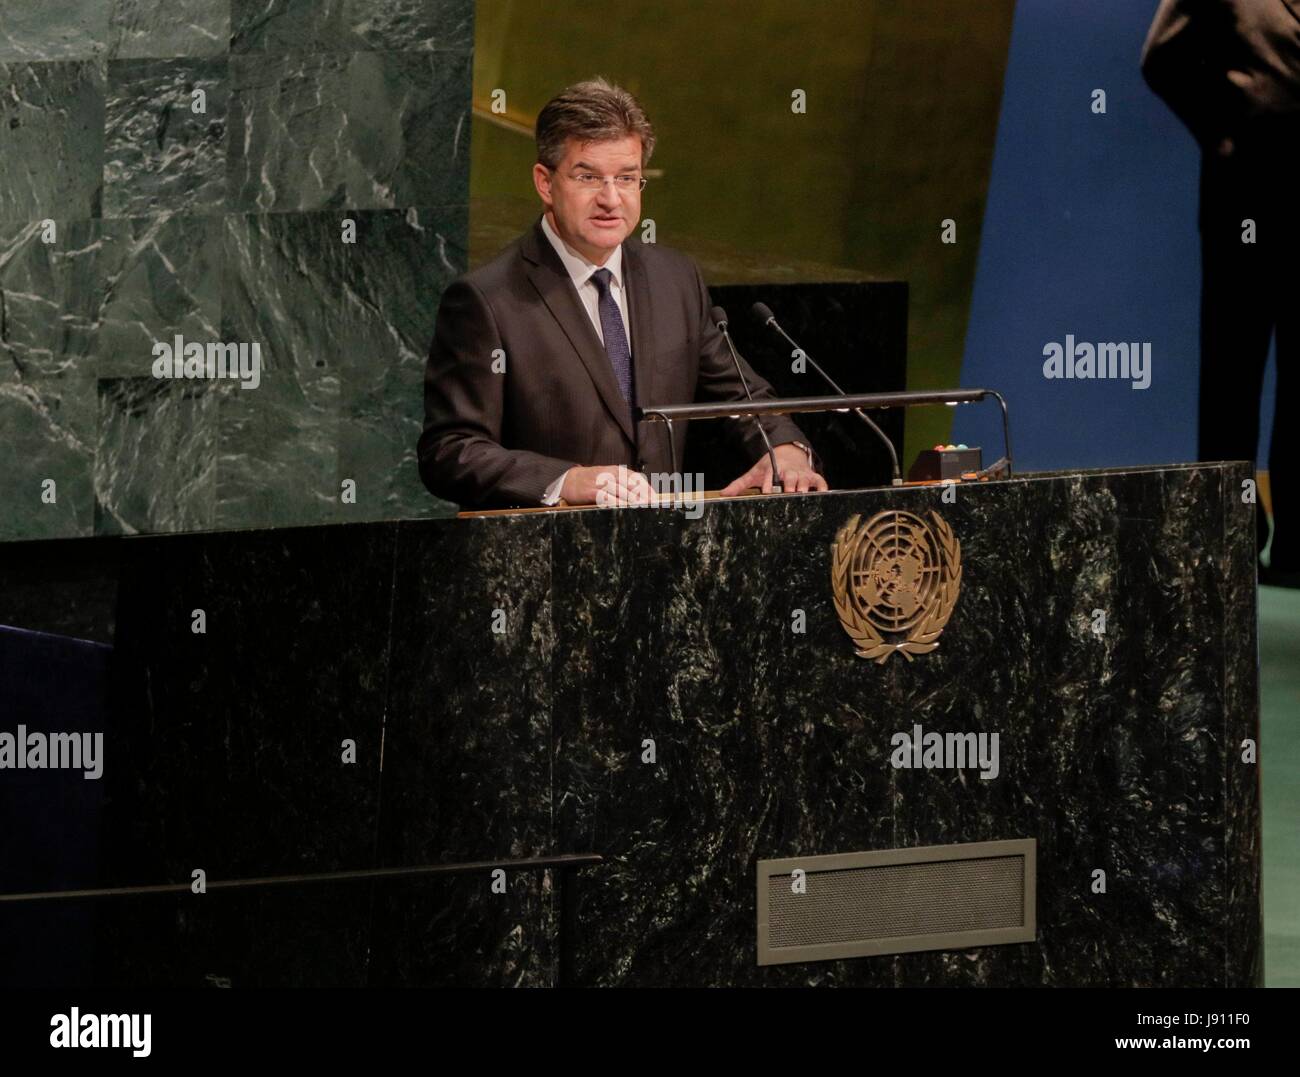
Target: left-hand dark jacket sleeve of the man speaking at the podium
<point>461,452</point>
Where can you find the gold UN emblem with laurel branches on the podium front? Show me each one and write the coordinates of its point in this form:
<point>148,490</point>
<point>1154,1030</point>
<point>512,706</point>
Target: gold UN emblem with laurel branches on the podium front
<point>895,581</point>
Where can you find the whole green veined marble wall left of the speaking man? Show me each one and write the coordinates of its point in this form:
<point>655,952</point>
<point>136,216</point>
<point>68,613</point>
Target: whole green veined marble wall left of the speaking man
<point>129,219</point>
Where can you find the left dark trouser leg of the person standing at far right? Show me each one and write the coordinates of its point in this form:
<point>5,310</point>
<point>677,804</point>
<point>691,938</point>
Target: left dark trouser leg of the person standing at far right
<point>1237,325</point>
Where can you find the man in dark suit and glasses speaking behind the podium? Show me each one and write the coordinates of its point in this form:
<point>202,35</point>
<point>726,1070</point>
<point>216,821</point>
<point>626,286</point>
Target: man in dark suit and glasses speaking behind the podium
<point>540,356</point>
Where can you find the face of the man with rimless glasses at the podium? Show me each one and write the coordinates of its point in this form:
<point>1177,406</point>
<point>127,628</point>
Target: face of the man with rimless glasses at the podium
<point>593,220</point>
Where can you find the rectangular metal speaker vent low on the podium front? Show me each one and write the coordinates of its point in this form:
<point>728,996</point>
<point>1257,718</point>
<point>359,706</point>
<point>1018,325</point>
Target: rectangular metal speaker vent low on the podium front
<point>896,902</point>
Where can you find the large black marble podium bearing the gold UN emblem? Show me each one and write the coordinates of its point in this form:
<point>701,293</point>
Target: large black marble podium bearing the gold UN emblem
<point>681,698</point>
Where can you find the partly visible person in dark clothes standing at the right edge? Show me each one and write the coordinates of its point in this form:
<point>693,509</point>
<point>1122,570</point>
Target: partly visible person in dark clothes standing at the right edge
<point>1230,70</point>
